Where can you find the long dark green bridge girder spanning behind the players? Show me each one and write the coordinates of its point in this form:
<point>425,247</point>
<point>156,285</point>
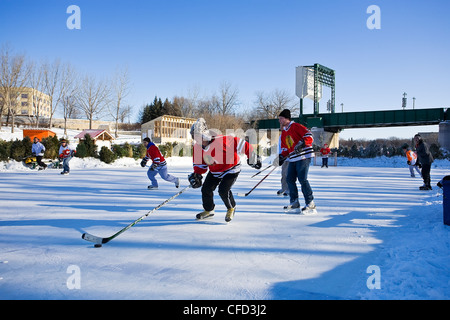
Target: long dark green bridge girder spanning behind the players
<point>336,122</point>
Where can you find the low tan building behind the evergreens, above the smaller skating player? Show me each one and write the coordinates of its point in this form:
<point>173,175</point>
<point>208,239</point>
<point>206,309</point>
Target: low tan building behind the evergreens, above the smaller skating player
<point>168,129</point>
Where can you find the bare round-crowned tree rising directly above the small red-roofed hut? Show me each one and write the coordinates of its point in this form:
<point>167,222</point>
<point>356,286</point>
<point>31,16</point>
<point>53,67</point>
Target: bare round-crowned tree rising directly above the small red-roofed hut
<point>93,97</point>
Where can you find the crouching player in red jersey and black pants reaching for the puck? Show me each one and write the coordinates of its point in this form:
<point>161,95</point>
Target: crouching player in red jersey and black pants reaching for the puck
<point>219,154</point>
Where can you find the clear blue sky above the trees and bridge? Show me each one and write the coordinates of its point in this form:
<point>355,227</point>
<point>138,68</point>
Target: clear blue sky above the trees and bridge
<point>171,47</point>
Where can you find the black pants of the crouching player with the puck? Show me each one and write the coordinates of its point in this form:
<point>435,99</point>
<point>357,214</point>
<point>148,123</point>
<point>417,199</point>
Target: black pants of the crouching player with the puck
<point>225,193</point>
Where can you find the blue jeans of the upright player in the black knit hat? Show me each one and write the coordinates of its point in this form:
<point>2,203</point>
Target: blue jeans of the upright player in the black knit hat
<point>299,170</point>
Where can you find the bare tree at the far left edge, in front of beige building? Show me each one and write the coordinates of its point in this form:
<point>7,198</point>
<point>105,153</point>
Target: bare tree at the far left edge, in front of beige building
<point>13,76</point>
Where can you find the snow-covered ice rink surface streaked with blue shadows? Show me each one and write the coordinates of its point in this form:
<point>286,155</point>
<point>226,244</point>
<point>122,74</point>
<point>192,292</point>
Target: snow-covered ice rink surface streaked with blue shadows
<point>372,224</point>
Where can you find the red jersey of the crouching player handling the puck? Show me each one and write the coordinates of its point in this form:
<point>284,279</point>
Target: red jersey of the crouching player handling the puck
<point>221,156</point>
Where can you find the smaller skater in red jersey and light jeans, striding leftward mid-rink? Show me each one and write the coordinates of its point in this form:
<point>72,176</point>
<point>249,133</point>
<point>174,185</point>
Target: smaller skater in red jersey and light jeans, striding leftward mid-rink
<point>159,165</point>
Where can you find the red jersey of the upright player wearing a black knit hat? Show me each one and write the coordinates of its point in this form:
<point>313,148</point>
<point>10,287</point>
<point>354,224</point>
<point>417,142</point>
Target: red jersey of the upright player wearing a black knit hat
<point>290,136</point>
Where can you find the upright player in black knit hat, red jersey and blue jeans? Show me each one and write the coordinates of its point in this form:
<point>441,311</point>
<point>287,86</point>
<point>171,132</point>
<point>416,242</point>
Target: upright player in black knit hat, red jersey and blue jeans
<point>296,147</point>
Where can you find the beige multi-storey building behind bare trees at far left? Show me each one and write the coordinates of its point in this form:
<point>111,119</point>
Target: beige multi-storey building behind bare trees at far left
<point>30,102</point>
